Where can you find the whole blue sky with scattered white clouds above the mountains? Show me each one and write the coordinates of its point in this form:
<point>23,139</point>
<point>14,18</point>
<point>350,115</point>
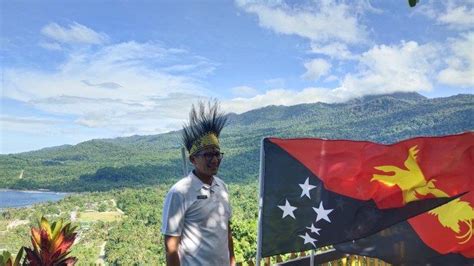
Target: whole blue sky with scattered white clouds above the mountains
<point>75,70</point>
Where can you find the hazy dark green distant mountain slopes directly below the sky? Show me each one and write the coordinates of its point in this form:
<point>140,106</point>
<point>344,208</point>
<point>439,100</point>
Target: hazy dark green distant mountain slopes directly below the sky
<point>103,164</point>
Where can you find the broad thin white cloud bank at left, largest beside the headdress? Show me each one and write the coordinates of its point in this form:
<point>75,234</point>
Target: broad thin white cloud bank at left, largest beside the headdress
<point>126,87</point>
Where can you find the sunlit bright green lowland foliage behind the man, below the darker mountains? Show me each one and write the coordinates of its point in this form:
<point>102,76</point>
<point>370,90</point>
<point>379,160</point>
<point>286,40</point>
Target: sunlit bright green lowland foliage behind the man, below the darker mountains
<point>135,237</point>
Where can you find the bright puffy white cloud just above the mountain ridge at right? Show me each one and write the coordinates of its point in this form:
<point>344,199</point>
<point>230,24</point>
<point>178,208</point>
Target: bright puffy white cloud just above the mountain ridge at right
<point>407,67</point>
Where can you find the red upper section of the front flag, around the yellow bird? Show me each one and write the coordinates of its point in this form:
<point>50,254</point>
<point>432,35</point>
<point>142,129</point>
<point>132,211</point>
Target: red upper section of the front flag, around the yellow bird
<point>347,167</point>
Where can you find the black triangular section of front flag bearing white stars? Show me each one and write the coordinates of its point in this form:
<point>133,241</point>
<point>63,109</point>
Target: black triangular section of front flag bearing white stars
<point>349,219</point>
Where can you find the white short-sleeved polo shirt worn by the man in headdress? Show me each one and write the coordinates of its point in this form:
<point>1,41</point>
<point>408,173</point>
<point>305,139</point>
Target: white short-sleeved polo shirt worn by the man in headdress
<point>199,213</point>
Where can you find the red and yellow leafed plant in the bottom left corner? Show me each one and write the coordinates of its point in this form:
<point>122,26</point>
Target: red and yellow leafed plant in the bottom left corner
<point>51,243</point>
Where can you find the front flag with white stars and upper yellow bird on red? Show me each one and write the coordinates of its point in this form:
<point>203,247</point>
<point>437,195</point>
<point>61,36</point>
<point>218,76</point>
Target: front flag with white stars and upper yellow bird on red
<point>320,192</point>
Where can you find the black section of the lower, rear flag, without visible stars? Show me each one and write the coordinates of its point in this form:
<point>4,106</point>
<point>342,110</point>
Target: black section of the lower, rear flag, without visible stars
<point>399,244</point>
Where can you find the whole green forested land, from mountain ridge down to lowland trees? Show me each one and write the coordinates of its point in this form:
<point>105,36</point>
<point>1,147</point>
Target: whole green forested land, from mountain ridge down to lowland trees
<point>121,225</point>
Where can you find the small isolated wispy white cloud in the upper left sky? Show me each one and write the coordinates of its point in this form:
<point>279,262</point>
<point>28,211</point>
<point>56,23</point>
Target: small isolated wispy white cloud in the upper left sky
<point>74,33</point>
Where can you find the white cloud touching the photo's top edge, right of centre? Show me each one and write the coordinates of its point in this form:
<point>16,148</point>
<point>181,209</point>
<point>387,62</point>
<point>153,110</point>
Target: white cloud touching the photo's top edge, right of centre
<point>324,21</point>
